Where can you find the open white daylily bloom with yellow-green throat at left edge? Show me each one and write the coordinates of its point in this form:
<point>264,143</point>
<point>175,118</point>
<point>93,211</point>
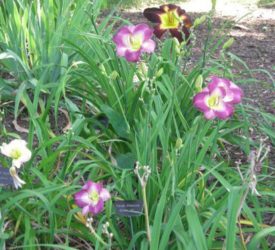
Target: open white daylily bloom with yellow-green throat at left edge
<point>17,150</point>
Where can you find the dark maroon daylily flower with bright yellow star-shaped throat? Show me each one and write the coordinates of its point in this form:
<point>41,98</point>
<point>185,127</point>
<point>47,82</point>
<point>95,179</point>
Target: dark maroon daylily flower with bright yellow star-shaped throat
<point>169,17</point>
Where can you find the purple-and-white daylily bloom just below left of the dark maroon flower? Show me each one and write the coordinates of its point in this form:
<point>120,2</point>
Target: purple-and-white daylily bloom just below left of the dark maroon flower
<point>131,41</point>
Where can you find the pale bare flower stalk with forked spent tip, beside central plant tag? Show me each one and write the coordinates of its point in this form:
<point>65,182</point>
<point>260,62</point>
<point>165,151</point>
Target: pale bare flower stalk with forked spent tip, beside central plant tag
<point>143,179</point>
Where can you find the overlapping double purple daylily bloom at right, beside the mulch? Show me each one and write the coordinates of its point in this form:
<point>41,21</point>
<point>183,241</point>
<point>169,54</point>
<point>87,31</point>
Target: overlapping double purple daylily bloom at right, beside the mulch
<point>218,98</point>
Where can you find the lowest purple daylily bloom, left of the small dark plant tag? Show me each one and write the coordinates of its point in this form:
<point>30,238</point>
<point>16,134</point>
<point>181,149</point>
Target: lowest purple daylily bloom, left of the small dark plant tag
<point>91,198</point>
